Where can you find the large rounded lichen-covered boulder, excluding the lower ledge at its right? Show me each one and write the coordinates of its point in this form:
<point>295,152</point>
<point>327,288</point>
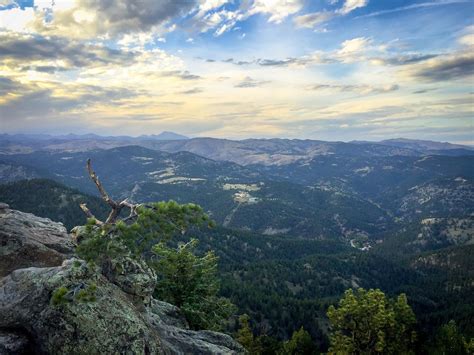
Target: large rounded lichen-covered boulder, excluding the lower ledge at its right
<point>46,304</point>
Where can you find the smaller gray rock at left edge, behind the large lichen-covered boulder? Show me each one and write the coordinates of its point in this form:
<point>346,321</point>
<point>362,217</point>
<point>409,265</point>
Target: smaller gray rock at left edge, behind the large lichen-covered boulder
<point>27,240</point>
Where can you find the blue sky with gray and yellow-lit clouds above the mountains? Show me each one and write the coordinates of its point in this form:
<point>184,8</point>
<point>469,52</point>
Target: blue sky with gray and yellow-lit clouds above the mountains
<point>310,69</point>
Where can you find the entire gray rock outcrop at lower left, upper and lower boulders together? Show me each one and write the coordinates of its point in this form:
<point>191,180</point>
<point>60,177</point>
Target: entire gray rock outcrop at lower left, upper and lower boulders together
<point>75,308</point>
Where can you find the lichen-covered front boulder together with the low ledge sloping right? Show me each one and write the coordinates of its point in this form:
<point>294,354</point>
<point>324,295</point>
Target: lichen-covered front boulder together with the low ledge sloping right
<point>94,316</point>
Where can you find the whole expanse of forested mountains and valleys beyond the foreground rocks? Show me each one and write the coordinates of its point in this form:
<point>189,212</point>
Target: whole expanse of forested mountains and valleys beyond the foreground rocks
<point>299,221</point>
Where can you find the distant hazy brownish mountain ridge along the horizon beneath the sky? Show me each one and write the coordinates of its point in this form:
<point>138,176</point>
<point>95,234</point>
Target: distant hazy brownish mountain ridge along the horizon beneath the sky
<point>245,152</point>
